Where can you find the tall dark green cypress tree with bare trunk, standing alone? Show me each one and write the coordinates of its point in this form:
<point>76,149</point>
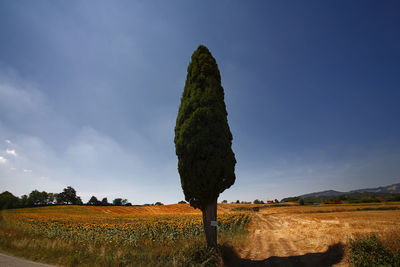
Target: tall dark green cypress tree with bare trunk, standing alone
<point>203,140</point>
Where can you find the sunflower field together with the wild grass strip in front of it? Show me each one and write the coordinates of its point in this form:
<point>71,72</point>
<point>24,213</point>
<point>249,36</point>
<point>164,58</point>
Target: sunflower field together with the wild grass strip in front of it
<point>116,236</point>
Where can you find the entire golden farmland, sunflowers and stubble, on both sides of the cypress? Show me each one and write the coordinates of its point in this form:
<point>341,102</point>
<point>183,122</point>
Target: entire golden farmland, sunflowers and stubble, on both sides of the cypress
<point>172,235</point>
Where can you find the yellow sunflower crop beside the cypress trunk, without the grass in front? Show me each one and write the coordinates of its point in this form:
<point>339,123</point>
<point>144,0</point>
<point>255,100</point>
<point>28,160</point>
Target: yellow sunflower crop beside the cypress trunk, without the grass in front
<point>122,225</point>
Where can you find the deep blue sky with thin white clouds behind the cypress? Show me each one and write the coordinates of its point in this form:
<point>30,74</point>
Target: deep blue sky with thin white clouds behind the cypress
<point>89,93</point>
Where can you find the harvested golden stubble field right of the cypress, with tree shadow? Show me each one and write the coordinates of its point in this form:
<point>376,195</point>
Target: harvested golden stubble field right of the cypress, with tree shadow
<point>317,235</point>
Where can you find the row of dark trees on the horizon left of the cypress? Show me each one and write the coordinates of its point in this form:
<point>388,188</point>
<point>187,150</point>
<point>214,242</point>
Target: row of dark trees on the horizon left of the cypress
<point>67,197</point>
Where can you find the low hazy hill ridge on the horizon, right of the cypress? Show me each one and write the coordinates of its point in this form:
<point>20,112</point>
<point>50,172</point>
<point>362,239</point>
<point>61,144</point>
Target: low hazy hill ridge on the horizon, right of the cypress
<point>382,190</point>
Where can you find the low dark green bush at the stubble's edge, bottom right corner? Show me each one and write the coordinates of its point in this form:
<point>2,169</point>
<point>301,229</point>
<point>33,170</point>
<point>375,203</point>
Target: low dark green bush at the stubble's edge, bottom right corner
<point>369,251</point>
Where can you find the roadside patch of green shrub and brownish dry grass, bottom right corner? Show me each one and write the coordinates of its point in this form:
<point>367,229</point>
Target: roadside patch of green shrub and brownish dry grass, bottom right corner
<point>370,250</point>
